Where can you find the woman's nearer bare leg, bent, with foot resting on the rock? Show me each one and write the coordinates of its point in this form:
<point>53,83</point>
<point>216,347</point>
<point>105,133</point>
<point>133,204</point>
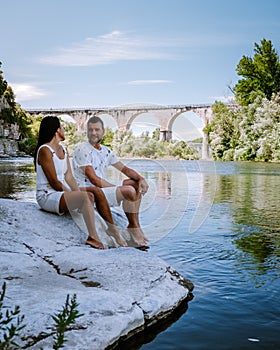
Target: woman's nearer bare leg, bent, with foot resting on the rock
<point>84,201</point>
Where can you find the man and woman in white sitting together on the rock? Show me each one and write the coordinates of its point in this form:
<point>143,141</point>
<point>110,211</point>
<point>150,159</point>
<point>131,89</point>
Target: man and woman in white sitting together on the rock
<point>59,191</point>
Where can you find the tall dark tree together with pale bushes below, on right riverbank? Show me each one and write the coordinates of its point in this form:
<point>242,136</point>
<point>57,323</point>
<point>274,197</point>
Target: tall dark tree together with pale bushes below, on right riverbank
<point>251,130</point>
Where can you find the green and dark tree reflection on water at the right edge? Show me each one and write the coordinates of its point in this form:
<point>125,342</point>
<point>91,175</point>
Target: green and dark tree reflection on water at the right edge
<point>252,195</point>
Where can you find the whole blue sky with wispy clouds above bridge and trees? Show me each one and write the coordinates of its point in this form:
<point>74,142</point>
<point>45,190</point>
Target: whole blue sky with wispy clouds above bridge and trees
<point>89,53</point>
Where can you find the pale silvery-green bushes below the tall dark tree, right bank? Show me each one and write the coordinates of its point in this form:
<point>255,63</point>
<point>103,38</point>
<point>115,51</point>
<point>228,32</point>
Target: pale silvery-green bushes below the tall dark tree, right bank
<point>247,133</point>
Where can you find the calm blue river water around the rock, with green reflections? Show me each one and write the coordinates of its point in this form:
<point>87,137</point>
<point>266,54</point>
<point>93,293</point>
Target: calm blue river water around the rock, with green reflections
<point>218,224</point>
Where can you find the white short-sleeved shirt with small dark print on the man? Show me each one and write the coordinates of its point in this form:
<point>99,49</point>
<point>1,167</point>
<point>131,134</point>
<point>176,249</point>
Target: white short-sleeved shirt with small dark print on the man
<point>84,155</point>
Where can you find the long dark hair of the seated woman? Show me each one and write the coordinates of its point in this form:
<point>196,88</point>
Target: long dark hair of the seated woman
<point>48,128</point>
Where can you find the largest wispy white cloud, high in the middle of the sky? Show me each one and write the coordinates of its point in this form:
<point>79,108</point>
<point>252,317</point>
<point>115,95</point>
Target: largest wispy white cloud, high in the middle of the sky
<point>110,48</point>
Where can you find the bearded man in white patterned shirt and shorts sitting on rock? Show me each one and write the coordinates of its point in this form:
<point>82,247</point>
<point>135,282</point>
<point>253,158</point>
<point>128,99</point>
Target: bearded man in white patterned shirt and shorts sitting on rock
<point>90,162</point>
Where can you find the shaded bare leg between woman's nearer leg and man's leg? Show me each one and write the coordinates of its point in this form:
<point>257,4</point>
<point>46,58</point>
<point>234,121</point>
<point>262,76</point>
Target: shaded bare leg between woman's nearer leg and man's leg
<point>104,210</point>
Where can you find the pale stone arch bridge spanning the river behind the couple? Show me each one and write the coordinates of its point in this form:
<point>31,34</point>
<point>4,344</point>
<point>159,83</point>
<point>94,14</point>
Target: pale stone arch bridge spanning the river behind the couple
<point>124,116</point>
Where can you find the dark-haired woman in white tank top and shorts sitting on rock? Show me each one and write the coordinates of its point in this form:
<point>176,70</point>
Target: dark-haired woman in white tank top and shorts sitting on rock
<point>56,188</point>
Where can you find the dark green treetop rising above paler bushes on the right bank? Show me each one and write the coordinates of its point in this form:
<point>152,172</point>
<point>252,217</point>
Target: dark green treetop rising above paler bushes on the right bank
<point>260,73</point>
